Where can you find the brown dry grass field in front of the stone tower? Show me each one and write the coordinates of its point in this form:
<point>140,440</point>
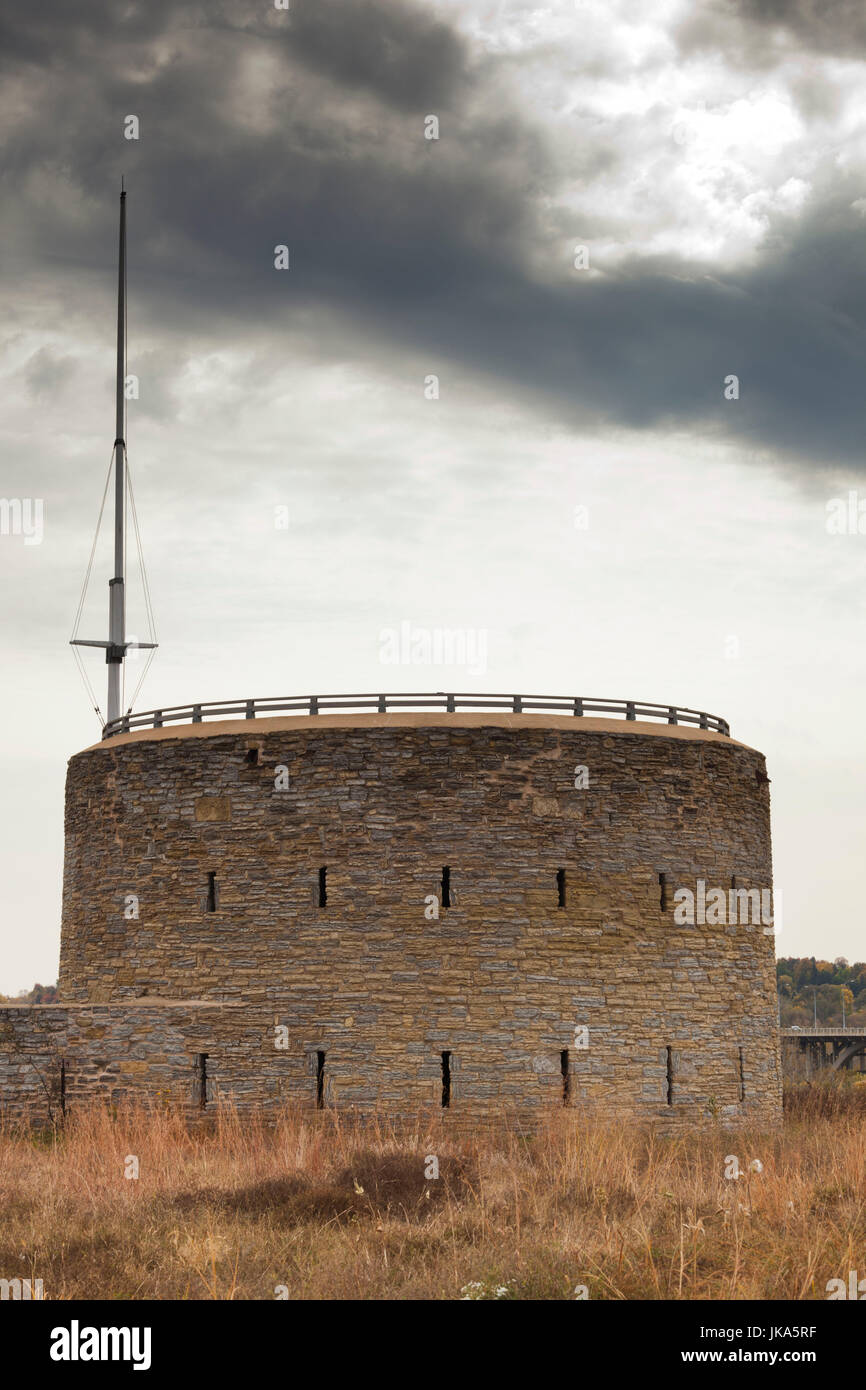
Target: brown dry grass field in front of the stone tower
<point>336,1209</point>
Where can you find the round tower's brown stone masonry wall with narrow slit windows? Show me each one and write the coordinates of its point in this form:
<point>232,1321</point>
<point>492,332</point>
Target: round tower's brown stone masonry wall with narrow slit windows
<point>682,1020</point>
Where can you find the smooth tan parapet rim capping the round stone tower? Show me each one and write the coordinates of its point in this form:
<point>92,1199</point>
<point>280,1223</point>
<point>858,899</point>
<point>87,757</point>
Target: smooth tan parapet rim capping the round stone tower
<point>419,719</point>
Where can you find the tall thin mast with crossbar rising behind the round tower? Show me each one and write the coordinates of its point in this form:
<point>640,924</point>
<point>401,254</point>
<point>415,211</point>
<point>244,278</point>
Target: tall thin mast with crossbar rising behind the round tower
<point>117,644</point>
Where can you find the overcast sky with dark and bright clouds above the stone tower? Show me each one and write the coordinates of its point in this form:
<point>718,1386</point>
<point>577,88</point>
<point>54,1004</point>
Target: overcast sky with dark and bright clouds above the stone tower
<point>582,491</point>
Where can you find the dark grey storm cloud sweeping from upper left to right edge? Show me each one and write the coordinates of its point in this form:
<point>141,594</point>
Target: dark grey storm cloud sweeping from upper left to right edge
<point>436,247</point>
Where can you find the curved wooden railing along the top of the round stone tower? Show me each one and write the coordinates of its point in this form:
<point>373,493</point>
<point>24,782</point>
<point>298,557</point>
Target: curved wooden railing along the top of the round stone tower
<point>440,701</point>
